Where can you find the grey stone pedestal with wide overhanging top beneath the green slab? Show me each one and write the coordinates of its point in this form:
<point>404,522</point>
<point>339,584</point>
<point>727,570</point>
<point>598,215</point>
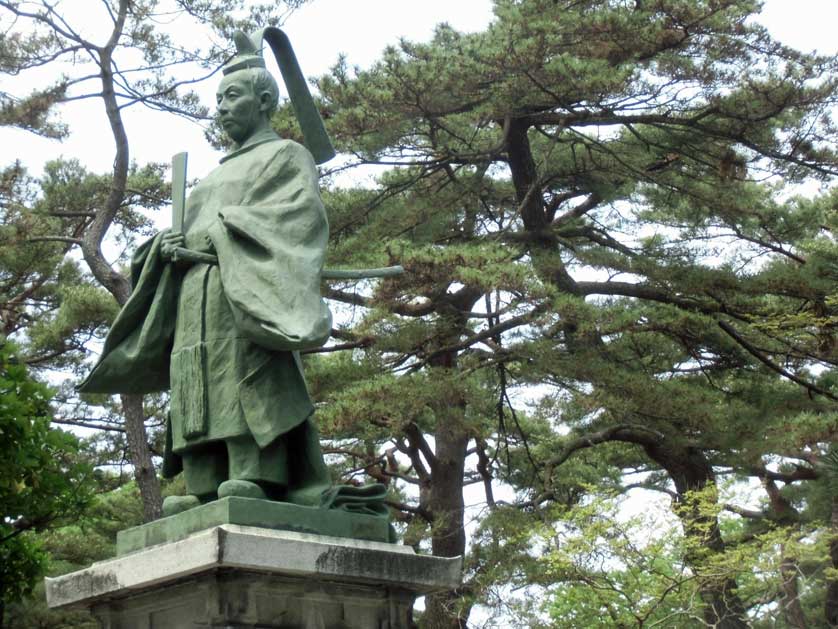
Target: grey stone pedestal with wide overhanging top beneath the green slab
<point>235,576</point>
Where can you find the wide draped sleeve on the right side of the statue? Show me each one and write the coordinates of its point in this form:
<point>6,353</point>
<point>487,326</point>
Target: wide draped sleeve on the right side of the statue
<point>270,251</point>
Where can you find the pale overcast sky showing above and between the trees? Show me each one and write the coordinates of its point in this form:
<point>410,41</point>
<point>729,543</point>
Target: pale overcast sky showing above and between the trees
<point>319,32</point>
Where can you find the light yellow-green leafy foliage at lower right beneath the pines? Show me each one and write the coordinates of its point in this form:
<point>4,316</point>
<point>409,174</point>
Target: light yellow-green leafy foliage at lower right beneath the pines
<point>595,564</point>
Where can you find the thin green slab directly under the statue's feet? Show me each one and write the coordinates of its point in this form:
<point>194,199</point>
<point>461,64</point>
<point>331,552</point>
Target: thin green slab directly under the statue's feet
<point>253,512</point>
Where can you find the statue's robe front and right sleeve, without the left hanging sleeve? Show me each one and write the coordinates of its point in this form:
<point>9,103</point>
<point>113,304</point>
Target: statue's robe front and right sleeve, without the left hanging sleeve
<point>234,370</point>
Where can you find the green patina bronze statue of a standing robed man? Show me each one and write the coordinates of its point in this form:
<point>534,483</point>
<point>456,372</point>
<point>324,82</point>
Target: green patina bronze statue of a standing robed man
<point>223,336</point>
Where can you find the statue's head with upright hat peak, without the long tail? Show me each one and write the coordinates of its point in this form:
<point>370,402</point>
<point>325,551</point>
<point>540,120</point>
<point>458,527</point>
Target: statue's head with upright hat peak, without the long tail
<point>247,95</point>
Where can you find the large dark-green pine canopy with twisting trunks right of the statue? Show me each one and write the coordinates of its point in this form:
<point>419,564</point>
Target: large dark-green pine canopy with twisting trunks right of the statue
<point>595,205</point>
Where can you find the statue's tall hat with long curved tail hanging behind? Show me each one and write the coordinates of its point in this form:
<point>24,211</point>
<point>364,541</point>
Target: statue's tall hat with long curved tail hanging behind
<point>248,55</point>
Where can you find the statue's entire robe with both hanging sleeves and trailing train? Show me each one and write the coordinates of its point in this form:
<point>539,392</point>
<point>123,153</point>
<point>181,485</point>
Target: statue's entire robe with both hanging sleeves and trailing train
<point>224,338</point>
